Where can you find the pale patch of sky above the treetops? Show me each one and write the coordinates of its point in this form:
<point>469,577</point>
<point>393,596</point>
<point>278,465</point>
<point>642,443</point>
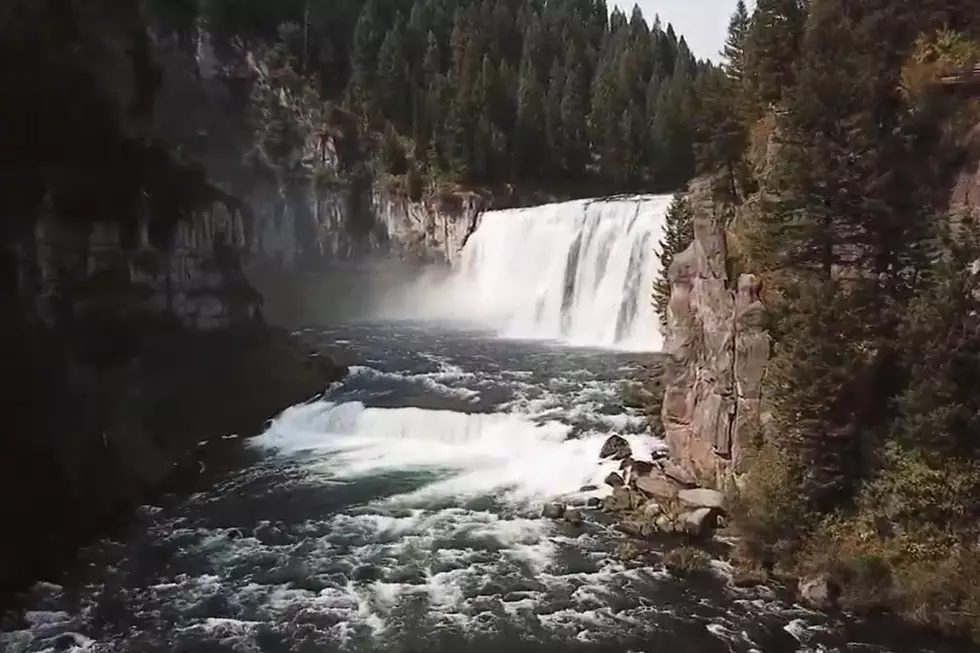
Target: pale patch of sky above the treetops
<point>703,23</point>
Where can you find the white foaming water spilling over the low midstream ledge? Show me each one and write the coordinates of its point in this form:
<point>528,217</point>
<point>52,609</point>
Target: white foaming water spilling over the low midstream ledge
<point>505,455</point>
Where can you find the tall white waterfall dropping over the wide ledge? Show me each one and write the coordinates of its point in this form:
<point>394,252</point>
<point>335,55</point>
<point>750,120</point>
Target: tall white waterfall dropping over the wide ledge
<point>580,272</point>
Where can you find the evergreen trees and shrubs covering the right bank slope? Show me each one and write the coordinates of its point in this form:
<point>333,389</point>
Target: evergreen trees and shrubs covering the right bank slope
<point>870,465</point>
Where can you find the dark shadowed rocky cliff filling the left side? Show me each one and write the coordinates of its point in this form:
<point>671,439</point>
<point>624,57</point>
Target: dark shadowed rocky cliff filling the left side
<point>128,332</point>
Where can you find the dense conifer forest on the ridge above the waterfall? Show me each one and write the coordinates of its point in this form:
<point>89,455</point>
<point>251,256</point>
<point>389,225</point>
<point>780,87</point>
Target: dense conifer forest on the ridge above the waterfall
<point>548,93</point>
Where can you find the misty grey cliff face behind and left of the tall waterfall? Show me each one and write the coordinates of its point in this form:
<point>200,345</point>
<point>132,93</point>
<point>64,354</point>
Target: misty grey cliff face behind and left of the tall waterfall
<point>304,169</point>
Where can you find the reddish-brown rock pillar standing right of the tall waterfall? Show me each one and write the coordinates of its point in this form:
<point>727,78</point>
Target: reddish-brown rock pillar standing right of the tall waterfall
<point>717,346</point>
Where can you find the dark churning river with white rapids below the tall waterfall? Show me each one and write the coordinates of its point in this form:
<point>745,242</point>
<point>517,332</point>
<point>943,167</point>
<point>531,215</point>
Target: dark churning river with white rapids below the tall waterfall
<point>401,513</point>
